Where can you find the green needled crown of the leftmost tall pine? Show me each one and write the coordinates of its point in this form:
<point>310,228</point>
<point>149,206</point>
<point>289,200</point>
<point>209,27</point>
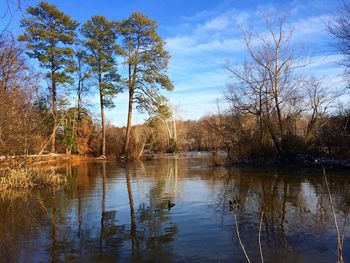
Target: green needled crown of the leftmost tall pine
<point>49,34</point>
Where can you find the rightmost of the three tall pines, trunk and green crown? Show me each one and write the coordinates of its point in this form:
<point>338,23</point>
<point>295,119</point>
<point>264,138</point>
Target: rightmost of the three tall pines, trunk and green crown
<point>147,63</point>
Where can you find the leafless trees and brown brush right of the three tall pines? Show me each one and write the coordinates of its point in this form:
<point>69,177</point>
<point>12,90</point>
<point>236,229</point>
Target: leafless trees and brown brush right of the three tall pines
<point>275,110</point>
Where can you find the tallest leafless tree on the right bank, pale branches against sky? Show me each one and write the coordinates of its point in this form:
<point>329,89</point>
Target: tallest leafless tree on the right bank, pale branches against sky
<point>268,85</point>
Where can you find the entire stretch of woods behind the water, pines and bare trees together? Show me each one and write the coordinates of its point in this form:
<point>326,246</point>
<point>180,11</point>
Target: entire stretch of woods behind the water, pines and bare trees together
<point>274,110</point>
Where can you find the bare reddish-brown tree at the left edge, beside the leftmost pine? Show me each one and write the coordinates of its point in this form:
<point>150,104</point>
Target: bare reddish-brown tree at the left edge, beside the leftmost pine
<point>19,120</point>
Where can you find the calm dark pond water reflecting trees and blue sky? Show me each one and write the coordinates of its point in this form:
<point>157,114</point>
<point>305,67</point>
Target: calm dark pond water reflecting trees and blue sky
<point>118,213</point>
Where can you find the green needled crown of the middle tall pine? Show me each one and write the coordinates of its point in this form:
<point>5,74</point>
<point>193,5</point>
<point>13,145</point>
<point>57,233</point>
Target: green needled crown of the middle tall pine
<point>101,49</point>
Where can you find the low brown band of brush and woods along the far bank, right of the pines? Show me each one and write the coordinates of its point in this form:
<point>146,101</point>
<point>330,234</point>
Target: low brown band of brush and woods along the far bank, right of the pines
<point>239,135</point>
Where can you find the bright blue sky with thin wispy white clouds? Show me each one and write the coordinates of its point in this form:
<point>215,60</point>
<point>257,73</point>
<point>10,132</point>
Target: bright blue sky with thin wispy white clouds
<point>202,37</point>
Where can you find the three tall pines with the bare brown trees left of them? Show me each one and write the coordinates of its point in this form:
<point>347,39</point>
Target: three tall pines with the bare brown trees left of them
<point>75,60</point>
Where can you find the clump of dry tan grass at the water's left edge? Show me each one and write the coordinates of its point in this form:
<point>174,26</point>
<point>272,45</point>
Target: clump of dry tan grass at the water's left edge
<point>27,178</point>
